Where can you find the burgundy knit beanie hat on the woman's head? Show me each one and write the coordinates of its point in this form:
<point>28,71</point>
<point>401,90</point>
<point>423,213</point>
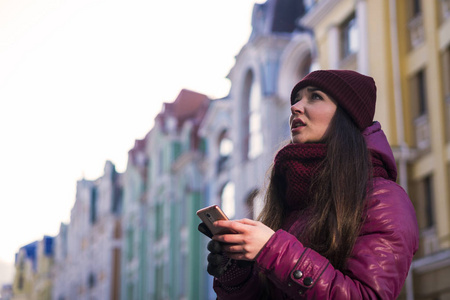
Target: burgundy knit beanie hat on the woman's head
<point>354,92</point>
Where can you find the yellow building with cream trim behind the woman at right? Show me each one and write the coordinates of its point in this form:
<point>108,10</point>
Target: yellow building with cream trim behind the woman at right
<point>405,46</point>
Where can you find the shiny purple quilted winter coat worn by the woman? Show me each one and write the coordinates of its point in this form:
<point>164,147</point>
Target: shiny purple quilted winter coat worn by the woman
<point>379,262</point>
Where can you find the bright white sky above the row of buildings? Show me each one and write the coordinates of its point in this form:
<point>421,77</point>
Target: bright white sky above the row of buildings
<point>80,80</point>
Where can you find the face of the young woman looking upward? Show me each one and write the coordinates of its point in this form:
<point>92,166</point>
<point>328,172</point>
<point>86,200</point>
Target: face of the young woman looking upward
<point>311,114</point>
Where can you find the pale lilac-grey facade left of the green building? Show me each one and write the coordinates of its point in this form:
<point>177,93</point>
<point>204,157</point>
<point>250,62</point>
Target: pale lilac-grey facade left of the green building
<point>88,253</point>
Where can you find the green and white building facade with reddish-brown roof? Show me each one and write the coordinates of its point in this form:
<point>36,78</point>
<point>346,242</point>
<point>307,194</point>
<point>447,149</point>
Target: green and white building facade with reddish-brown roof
<point>164,187</point>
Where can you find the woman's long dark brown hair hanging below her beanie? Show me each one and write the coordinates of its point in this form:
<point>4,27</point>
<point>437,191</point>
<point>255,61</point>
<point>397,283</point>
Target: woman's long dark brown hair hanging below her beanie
<point>338,193</point>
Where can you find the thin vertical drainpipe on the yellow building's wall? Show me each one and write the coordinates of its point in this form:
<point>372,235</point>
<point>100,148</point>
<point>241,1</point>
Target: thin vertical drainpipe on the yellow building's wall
<point>399,121</point>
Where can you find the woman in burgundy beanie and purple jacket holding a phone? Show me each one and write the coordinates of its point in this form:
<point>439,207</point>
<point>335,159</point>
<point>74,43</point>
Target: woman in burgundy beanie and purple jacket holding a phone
<point>335,225</point>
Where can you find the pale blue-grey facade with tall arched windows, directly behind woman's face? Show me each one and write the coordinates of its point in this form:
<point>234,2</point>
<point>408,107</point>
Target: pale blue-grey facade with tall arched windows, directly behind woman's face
<point>266,69</point>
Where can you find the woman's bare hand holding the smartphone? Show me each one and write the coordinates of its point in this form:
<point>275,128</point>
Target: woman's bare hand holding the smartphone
<point>247,242</point>
